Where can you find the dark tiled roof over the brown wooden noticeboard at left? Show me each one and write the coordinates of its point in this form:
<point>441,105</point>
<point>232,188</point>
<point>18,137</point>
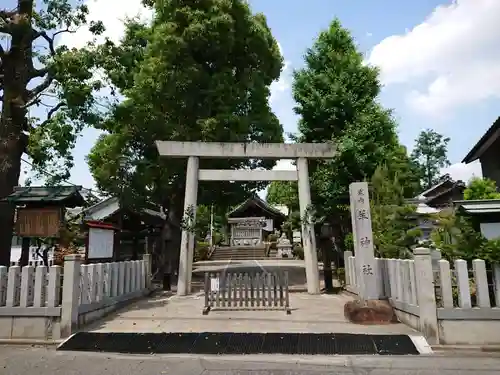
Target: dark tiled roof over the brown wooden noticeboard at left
<point>67,196</point>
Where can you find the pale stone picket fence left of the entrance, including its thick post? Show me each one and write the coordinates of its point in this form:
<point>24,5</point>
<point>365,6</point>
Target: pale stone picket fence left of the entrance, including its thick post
<point>49,303</point>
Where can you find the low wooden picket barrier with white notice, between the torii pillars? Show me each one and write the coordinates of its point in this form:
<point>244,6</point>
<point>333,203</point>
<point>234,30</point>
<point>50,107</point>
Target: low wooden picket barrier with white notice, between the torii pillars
<point>246,291</point>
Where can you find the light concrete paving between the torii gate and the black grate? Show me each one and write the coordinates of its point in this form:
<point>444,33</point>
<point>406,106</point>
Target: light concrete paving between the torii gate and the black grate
<point>310,313</point>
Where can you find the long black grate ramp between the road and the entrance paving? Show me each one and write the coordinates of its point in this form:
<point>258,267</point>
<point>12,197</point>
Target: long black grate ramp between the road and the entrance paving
<point>240,343</point>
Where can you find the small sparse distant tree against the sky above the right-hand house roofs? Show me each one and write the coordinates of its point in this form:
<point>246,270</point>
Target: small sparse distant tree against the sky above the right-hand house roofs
<point>430,156</point>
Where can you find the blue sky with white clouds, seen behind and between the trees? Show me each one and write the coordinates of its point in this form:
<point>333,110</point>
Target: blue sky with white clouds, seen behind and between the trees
<point>439,61</point>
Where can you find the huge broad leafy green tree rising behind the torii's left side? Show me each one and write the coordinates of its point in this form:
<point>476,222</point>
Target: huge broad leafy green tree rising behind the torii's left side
<point>200,72</point>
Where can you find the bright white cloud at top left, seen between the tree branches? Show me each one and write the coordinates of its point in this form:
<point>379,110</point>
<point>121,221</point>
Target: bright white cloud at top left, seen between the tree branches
<point>112,15</point>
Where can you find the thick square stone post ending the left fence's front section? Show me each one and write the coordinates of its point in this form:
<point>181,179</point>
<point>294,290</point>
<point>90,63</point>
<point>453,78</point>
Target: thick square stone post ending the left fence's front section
<point>70,294</point>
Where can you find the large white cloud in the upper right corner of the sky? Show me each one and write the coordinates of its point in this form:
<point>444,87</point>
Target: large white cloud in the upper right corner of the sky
<point>454,51</point>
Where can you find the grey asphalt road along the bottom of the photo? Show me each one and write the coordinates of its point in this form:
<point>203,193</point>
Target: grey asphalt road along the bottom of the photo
<point>16,360</point>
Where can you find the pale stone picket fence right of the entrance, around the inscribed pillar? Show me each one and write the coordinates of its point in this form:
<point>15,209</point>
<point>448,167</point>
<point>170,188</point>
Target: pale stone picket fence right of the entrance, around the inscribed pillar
<point>449,305</point>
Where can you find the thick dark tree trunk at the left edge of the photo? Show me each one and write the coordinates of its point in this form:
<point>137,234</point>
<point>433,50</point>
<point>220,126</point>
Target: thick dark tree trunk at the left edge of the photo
<point>16,67</point>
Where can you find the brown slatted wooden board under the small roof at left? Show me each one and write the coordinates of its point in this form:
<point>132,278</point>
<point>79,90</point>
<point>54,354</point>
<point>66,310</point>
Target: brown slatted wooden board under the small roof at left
<point>38,222</point>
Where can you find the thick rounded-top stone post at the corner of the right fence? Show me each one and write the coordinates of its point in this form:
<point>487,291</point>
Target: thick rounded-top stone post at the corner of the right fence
<point>426,297</point>
